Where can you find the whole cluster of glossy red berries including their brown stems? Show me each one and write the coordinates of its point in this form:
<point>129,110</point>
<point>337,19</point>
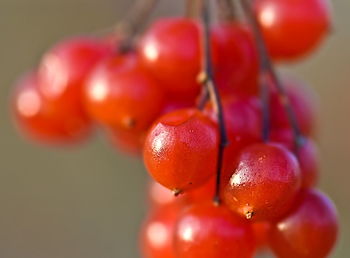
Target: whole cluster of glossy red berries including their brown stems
<point>227,141</point>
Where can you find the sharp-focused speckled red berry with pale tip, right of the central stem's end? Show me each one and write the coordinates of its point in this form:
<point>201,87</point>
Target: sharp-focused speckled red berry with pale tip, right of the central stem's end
<point>264,183</point>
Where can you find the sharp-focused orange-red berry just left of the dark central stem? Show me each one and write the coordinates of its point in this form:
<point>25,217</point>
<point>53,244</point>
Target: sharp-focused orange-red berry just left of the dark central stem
<point>180,150</point>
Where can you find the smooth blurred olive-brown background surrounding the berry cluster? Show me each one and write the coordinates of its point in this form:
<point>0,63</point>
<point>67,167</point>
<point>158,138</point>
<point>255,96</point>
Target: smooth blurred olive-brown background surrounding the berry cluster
<point>88,202</point>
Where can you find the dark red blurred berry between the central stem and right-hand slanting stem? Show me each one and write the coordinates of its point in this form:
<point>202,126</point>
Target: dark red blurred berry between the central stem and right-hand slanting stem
<point>237,58</point>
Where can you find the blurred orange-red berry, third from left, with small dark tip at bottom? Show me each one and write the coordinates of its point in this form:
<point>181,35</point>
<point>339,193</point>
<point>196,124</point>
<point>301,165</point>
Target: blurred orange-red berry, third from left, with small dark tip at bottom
<point>121,94</point>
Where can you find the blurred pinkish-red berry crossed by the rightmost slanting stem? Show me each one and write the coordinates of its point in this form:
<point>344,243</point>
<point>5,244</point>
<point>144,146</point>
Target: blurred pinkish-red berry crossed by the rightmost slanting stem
<point>303,104</point>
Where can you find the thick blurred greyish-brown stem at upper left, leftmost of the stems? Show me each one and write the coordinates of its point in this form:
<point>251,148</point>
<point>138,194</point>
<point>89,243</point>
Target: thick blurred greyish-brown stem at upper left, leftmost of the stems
<point>135,19</point>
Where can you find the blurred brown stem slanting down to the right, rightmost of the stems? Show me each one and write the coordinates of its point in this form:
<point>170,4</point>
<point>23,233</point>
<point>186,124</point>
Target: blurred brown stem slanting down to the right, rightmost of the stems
<point>267,72</point>
